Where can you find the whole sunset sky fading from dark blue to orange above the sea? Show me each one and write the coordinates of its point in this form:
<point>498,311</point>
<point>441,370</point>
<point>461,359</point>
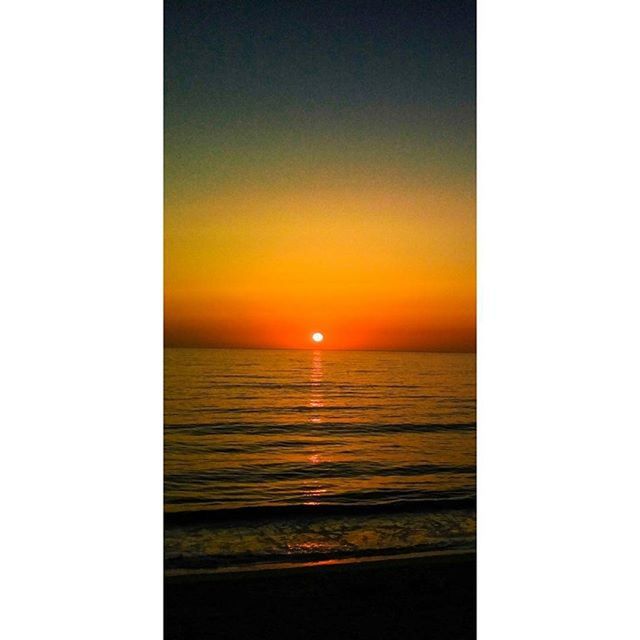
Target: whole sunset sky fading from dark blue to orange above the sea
<point>320,174</point>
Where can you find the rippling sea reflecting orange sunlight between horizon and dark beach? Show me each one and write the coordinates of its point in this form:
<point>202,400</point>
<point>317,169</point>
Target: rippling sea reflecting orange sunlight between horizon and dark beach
<point>286,456</point>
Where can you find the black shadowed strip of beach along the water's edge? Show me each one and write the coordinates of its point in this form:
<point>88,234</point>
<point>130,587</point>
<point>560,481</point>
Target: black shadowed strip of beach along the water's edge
<point>427,598</point>
